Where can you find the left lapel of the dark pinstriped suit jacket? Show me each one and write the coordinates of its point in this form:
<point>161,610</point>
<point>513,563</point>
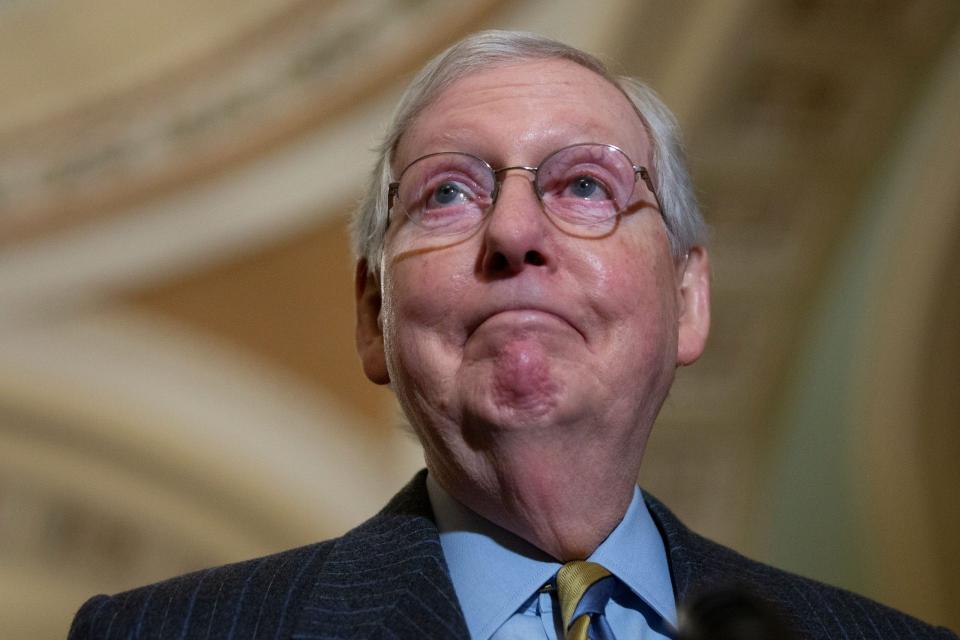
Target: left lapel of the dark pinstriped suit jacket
<point>386,578</point>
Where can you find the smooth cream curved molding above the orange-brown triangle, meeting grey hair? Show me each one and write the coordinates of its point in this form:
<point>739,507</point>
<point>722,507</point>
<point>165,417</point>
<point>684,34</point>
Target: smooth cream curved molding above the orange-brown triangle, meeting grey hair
<point>272,197</point>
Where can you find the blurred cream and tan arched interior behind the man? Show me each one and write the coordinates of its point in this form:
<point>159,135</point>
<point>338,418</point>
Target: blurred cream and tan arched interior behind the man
<point>178,385</point>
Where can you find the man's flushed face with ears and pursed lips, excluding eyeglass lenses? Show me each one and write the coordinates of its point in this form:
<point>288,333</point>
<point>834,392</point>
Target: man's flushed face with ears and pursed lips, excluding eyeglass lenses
<point>522,340</point>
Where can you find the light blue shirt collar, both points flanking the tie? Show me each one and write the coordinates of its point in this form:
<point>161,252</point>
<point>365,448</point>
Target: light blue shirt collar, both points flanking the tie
<point>494,571</point>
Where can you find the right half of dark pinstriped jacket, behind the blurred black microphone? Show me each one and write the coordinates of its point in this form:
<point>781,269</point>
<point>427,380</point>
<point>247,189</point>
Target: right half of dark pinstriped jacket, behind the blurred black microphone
<point>813,609</point>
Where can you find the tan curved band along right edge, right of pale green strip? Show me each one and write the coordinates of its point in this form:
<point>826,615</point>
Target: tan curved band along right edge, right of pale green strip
<point>918,204</point>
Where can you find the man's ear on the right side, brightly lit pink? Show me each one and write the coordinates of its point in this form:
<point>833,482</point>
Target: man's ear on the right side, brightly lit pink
<point>693,277</point>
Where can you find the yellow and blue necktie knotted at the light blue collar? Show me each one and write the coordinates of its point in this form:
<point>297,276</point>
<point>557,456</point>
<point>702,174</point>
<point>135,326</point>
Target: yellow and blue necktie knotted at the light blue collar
<point>583,589</point>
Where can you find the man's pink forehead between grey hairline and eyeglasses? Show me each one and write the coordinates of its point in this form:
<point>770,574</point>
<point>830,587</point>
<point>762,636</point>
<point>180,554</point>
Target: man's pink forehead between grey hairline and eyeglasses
<point>518,113</point>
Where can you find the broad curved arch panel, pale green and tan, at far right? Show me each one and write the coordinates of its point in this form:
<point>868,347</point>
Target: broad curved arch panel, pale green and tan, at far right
<point>849,491</point>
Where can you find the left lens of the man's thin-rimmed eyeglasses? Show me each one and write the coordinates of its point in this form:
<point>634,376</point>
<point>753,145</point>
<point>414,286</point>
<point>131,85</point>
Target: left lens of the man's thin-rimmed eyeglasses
<point>446,193</point>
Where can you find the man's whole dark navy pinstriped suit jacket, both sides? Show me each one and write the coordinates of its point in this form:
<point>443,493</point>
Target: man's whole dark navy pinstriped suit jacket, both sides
<point>387,579</point>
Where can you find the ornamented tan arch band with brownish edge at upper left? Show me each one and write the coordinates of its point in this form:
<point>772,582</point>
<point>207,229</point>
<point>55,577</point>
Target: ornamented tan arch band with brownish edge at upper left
<point>292,74</point>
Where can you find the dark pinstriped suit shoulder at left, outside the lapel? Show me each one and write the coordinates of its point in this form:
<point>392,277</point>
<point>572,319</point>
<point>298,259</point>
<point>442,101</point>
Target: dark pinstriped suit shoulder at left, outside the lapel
<point>235,599</point>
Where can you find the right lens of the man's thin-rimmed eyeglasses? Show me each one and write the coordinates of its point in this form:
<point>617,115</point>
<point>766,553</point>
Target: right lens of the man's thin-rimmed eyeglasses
<point>586,184</point>
